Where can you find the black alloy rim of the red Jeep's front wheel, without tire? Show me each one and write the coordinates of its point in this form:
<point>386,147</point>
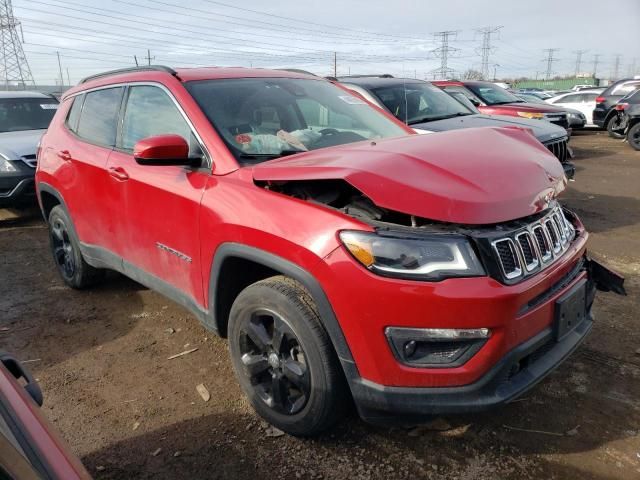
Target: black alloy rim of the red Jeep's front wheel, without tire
<point>275,362</point>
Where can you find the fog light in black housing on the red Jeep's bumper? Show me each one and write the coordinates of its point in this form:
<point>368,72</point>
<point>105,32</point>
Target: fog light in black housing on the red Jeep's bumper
<point>435,347</point>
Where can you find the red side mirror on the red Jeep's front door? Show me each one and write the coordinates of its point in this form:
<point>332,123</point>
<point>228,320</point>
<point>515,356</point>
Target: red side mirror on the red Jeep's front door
<point>163,150</point>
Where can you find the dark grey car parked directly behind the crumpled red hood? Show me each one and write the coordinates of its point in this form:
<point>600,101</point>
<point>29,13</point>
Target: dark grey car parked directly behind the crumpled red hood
<point>427,108</point>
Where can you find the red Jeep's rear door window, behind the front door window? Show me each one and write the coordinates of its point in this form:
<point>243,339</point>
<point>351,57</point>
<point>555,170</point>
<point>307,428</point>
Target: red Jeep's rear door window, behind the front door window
<point>99,116</point>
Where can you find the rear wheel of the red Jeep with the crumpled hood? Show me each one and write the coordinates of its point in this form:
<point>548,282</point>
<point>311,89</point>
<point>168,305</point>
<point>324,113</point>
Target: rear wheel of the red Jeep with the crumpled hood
<point>65,248</point>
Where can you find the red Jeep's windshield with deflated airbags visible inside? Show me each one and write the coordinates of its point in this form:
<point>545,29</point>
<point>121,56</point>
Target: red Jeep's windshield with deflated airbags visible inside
<point>263,118</point>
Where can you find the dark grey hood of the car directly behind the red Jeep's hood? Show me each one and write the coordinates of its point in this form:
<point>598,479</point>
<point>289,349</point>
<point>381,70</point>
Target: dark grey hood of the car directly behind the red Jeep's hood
<point>543,131</point>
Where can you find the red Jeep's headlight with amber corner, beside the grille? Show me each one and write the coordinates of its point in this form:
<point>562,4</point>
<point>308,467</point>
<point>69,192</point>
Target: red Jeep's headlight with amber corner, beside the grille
<point>429,257</point>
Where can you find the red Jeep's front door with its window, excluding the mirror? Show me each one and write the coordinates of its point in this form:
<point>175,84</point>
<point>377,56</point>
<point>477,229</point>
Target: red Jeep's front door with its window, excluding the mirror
<point>159,238</point>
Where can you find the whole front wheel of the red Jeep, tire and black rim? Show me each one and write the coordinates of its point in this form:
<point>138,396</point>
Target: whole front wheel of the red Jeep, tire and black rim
<point>296,384</point>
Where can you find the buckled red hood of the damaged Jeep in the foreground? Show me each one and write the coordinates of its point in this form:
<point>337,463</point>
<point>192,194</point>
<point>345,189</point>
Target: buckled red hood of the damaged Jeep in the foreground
<point>472,176</point>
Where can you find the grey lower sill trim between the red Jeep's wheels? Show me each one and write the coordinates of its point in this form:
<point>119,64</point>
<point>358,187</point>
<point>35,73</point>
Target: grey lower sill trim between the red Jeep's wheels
<point>99,257</point>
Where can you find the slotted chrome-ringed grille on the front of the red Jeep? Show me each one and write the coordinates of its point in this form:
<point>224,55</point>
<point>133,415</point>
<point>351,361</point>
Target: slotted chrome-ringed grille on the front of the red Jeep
<point>535,246</point>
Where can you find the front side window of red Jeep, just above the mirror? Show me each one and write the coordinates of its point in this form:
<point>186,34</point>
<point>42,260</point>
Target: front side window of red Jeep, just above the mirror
<point>150,111</point>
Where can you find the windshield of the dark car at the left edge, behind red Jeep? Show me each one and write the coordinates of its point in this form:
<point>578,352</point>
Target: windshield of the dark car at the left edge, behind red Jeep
<point>17,114</point>
